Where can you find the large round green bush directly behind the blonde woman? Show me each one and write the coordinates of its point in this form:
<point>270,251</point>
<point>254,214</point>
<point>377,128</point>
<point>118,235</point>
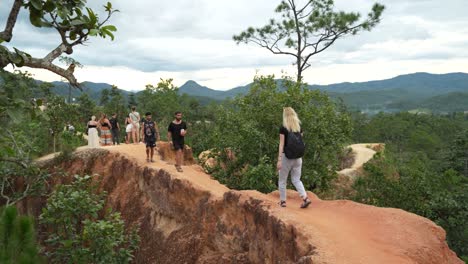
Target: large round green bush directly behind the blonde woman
<point>249,127</point>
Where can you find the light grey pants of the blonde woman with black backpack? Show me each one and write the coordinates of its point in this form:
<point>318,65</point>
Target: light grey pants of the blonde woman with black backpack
<point>295,167</point>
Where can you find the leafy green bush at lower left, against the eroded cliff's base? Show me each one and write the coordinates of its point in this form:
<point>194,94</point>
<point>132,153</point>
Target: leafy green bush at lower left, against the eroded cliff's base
<point>81,231</point>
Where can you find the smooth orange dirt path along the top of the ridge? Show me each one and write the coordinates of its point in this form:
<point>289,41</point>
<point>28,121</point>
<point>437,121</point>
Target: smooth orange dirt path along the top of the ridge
<point>342,231</point>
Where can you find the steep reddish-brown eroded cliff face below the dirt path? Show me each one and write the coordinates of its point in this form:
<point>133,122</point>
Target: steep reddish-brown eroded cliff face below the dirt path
<point>183,224</point>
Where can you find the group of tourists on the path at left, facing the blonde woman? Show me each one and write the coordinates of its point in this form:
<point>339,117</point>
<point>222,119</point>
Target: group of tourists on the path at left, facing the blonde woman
<point>139,130</point>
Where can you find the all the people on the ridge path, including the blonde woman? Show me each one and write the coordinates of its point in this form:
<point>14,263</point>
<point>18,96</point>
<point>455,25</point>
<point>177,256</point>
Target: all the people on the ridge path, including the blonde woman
<point>290,151</point>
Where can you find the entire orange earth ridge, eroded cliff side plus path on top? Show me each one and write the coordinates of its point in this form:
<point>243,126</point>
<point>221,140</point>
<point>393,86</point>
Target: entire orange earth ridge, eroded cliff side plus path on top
<point>189,218</point>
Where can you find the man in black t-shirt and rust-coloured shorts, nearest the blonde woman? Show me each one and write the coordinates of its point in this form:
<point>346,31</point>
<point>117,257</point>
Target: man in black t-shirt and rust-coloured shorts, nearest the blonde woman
<point>175,134</point>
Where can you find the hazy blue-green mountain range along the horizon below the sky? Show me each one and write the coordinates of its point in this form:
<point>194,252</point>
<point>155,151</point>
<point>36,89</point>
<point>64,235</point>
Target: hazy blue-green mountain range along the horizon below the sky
<point>436,92</point>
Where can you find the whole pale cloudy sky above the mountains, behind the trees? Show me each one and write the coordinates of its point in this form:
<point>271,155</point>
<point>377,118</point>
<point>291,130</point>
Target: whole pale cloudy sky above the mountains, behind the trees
<point>192,40</point>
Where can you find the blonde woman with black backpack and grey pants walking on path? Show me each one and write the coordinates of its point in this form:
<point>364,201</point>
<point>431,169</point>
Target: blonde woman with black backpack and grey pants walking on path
<point>290,151</point>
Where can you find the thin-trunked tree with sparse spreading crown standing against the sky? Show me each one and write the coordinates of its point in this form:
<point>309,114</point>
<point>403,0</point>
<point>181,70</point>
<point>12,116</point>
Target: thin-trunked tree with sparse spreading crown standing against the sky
<point>307,30</point>
